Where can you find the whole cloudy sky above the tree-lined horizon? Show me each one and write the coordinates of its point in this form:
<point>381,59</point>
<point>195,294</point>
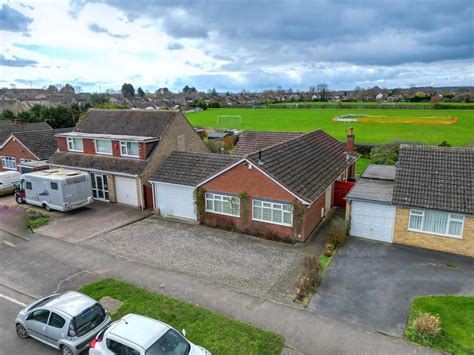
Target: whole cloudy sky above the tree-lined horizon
<point>231,45</point>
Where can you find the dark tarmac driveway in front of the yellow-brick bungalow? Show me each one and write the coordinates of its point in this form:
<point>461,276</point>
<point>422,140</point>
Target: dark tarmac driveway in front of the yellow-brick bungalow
<point>372,283</point>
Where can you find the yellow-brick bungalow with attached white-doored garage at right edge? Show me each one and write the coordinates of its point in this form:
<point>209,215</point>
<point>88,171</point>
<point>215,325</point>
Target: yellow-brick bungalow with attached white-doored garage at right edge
<point>431,204</point>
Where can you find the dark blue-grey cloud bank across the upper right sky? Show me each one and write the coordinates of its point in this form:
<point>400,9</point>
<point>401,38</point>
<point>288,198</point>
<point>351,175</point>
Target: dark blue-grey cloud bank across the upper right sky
<point>346,30</point>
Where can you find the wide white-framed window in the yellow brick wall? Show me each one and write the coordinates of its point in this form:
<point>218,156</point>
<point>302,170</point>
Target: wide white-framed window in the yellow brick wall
<point>436,222</point>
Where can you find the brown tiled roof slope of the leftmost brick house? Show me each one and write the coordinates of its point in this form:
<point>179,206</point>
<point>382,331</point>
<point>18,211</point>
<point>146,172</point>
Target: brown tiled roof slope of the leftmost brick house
<point>41,143</point>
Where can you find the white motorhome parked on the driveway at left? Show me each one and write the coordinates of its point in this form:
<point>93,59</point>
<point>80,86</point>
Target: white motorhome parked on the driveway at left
<point>55,189</point>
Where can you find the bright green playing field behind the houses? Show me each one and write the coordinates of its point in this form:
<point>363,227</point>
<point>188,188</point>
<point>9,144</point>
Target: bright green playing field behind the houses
<point>306,120</point>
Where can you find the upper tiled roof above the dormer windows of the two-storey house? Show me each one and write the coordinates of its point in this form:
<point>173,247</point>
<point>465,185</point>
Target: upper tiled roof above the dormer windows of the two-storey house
<point>150,123</point>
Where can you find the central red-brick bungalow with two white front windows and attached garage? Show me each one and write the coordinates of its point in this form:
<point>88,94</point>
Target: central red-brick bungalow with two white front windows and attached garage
<point>283,191</point>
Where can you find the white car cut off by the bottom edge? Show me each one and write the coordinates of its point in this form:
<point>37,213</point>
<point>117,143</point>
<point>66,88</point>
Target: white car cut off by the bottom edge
<point>138,335</point>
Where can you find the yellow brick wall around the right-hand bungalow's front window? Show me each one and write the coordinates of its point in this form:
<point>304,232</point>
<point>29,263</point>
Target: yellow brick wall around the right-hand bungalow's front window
<point>463,246</point>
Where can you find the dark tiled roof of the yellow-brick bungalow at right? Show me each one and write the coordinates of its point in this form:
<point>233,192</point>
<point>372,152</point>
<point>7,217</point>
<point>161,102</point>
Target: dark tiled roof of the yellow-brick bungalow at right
<point>435,178</point>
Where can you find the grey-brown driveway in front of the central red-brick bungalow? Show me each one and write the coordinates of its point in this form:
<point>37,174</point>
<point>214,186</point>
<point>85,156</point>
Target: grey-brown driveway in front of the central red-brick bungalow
<point>251,265</point>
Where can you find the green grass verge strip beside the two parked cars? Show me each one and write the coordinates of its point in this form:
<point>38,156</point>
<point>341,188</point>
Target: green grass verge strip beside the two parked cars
<point>215,332</point>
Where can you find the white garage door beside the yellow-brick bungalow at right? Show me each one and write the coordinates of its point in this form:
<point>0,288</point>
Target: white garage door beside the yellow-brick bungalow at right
<point>372,221</point>
